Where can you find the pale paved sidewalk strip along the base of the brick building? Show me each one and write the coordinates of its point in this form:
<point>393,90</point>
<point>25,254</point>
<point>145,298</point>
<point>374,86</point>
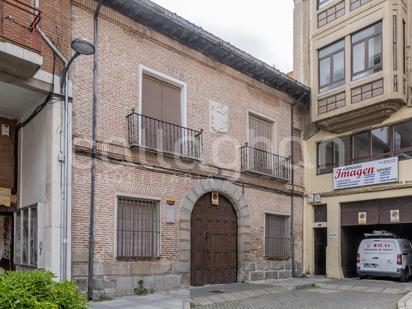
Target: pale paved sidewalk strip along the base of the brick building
<point>221,293</point>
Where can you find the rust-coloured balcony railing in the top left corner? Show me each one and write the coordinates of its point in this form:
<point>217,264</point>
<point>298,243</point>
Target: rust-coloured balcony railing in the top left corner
<point>18,23</point>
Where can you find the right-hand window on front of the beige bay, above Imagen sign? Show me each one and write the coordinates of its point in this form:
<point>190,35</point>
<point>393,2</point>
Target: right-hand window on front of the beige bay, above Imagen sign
<point>367,51</point>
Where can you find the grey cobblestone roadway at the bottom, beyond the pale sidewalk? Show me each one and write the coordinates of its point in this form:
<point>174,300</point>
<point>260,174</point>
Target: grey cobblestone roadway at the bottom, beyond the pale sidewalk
<point>313,298</point>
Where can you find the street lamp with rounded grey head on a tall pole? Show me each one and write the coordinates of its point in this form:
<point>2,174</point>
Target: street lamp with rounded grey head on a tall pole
<point>81,46</point>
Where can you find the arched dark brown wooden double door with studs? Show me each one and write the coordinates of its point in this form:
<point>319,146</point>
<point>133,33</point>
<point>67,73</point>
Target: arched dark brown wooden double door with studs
<point>213,242</point>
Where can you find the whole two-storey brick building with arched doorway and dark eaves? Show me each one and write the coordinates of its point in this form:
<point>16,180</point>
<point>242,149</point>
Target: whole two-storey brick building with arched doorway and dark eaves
<point>193,163</point>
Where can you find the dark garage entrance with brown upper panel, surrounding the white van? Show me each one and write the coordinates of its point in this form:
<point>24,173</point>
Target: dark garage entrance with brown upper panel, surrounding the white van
<point>358,218</point>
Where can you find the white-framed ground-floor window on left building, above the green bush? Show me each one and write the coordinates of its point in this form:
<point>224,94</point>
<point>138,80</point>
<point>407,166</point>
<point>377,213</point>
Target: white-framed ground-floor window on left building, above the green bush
<point>26,236</point>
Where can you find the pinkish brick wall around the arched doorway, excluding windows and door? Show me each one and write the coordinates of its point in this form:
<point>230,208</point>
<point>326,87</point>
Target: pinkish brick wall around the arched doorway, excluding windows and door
<point>124,46</point>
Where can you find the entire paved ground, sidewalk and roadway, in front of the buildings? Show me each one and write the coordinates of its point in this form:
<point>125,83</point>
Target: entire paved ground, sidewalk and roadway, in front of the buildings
<point>309,293</point>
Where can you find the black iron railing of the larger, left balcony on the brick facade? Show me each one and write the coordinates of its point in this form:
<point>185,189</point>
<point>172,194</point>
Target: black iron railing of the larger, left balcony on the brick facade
<point>163,137</point>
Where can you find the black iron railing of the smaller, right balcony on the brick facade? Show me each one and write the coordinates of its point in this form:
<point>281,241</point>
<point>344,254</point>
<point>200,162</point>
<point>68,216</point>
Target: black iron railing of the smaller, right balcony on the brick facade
<point>260,162</point>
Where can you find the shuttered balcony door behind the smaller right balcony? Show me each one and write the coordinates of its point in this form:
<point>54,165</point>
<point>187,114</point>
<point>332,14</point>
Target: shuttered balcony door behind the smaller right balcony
<point>261,139</point>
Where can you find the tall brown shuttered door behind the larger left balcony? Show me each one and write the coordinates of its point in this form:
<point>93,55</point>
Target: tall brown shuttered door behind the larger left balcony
<point>162,115</point>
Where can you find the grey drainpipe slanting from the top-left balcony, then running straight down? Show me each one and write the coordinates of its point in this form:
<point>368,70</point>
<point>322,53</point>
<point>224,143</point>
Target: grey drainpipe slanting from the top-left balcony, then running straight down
<point>65,198</point>
